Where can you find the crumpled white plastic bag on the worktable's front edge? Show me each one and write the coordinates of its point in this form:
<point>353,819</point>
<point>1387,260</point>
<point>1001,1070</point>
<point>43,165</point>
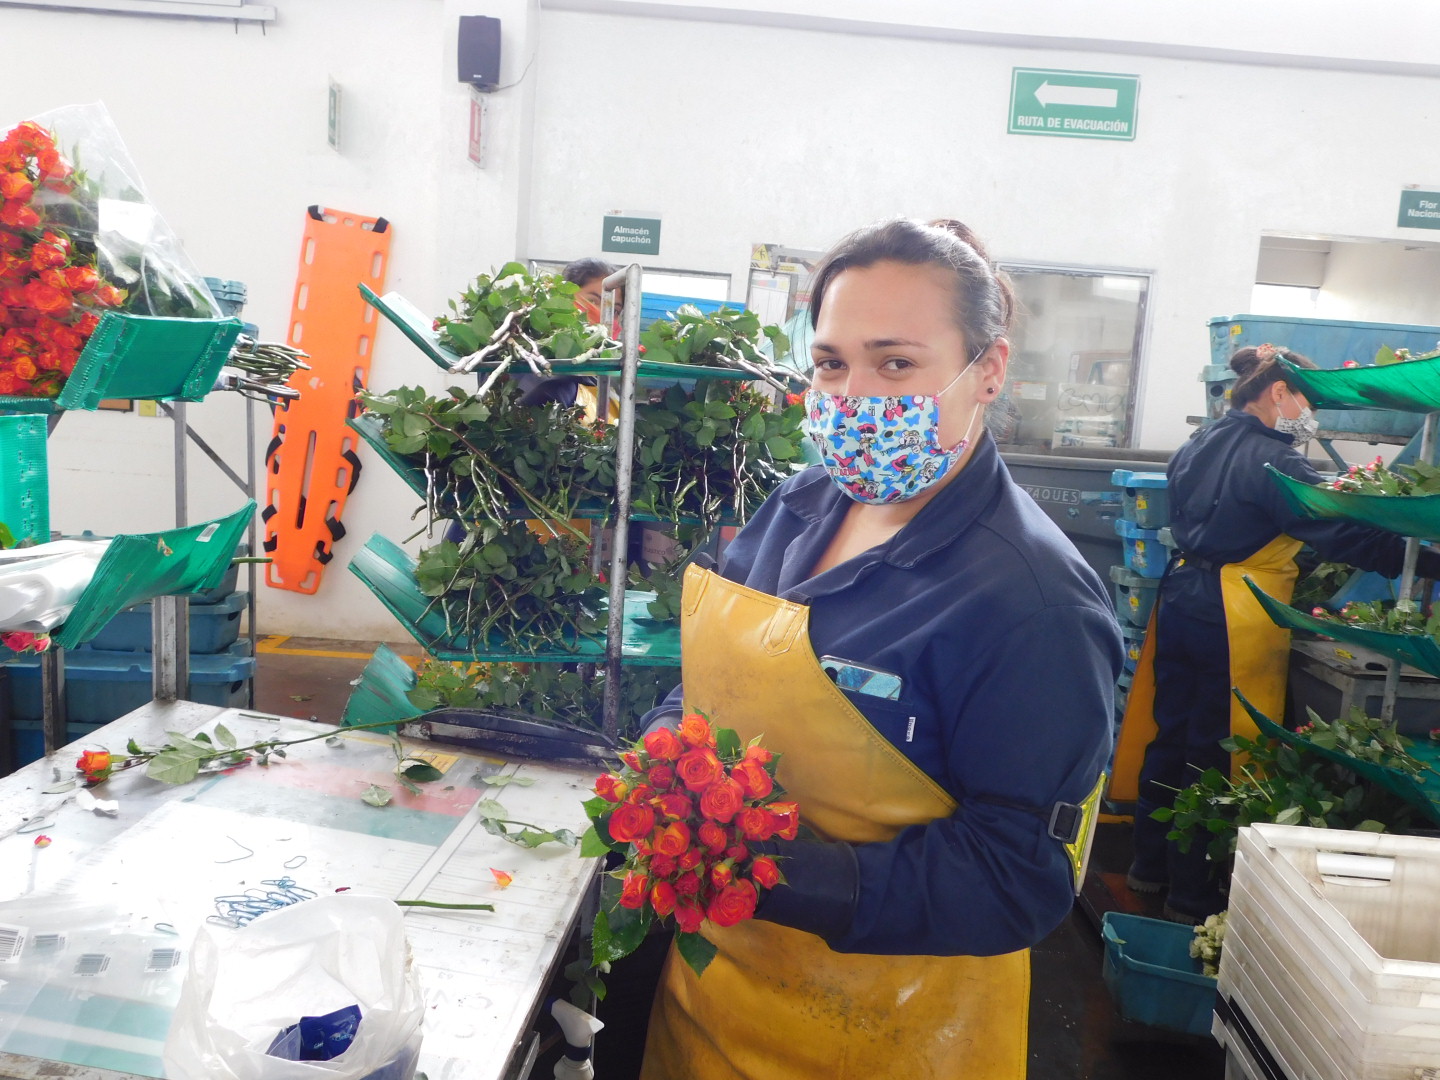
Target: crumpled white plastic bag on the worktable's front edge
<point>246,987</point>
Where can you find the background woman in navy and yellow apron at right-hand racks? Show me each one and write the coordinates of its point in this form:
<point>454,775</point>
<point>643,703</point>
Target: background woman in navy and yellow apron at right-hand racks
<point>1209,633</point>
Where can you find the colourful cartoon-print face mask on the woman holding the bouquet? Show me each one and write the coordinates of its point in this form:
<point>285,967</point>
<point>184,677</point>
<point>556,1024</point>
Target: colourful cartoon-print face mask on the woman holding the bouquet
<point>882,450</point>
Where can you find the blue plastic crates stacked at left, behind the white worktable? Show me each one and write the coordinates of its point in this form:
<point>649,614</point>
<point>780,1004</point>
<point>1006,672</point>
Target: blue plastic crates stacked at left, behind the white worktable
<point>113,673</point>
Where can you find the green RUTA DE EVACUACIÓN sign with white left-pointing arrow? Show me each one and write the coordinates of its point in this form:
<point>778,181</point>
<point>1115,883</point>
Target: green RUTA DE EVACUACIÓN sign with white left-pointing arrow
<point>1074,104</point>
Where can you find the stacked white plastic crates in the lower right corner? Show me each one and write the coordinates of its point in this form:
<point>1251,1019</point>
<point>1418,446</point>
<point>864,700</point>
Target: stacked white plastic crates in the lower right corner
<point>1334,947</point>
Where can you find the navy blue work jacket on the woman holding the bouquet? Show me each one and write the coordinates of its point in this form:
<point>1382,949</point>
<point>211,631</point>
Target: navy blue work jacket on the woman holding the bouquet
<point>1009,653</point>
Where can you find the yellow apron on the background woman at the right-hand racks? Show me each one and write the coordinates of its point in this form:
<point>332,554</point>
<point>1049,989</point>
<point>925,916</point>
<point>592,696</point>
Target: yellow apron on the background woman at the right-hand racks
<point>1259,660</point>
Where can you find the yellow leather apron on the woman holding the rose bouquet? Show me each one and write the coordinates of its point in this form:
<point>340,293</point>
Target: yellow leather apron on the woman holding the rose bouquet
<point>778,1004</point>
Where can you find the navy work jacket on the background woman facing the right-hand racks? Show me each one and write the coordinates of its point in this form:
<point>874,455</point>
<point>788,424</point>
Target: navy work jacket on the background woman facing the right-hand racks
<point>1225,508</point>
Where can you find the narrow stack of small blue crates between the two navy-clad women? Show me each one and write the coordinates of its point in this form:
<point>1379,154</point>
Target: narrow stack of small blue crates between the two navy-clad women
<point>1144,513</point>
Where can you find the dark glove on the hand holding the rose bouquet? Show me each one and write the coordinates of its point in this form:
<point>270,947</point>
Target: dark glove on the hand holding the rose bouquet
<point>822,886</point>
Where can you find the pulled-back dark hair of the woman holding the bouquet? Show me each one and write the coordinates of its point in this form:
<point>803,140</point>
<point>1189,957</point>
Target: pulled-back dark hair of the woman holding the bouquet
<point>984,302</point>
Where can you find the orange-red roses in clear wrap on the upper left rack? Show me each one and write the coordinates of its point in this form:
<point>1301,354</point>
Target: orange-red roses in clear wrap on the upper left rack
<point>51,292</point>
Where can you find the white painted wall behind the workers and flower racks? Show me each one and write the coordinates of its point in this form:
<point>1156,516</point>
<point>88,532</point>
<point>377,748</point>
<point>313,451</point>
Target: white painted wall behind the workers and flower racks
<point>739,122</point>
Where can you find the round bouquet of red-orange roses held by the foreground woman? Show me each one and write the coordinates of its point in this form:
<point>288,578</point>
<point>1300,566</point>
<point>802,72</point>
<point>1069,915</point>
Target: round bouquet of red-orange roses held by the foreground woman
<point>686,809</point>
